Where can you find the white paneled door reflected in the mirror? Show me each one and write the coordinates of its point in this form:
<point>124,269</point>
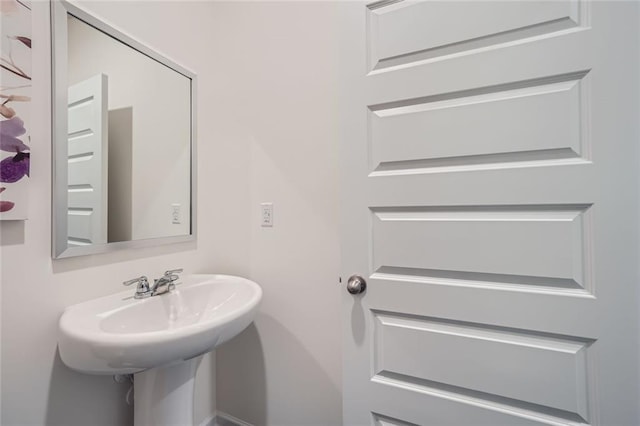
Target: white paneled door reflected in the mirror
<point>87,162</point>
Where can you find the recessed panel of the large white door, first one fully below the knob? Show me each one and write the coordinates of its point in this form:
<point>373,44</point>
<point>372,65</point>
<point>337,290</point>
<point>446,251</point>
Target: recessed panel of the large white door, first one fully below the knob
<point>435,353</point>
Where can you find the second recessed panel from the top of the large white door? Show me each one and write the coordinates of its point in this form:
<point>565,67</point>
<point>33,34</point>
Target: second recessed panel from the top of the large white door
<point>544,116</point>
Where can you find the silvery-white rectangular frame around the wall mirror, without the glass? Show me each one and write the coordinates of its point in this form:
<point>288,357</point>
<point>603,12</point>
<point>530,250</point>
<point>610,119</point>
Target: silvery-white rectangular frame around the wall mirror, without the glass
<point>60,249</point>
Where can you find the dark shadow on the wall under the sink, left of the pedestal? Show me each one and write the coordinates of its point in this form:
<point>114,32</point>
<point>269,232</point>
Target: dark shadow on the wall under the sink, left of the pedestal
<point>77,399</point>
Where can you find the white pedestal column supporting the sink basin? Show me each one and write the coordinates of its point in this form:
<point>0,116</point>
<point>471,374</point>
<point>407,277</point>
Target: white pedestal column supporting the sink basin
<point>163,396</point>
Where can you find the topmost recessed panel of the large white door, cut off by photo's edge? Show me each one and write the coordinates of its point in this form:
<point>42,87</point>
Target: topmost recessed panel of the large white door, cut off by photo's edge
<point>402,32</point>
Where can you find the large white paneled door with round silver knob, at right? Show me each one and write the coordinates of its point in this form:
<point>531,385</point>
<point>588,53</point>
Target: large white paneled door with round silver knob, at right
<point>491,203</point>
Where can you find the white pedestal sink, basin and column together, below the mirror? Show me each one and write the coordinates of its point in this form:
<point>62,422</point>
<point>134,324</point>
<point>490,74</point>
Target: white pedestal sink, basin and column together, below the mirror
<point>159,339</point>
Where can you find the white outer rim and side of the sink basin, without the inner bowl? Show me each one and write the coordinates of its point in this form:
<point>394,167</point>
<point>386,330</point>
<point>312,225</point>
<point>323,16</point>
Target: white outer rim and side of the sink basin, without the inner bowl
<point>85,346</point>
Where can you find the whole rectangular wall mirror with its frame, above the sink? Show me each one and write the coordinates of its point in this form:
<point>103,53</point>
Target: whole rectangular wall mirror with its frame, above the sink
<point>124,140</point>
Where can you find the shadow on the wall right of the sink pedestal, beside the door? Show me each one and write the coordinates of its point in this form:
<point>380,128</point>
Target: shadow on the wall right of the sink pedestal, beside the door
<point>295,378</point>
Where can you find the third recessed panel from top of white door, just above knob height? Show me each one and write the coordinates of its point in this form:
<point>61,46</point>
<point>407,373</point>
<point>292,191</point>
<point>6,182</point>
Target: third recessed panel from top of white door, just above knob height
<point>530,245</point>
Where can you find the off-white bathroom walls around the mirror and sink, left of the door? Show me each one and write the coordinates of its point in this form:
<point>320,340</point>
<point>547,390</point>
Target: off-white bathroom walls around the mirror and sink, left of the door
<point>268,131</point>
